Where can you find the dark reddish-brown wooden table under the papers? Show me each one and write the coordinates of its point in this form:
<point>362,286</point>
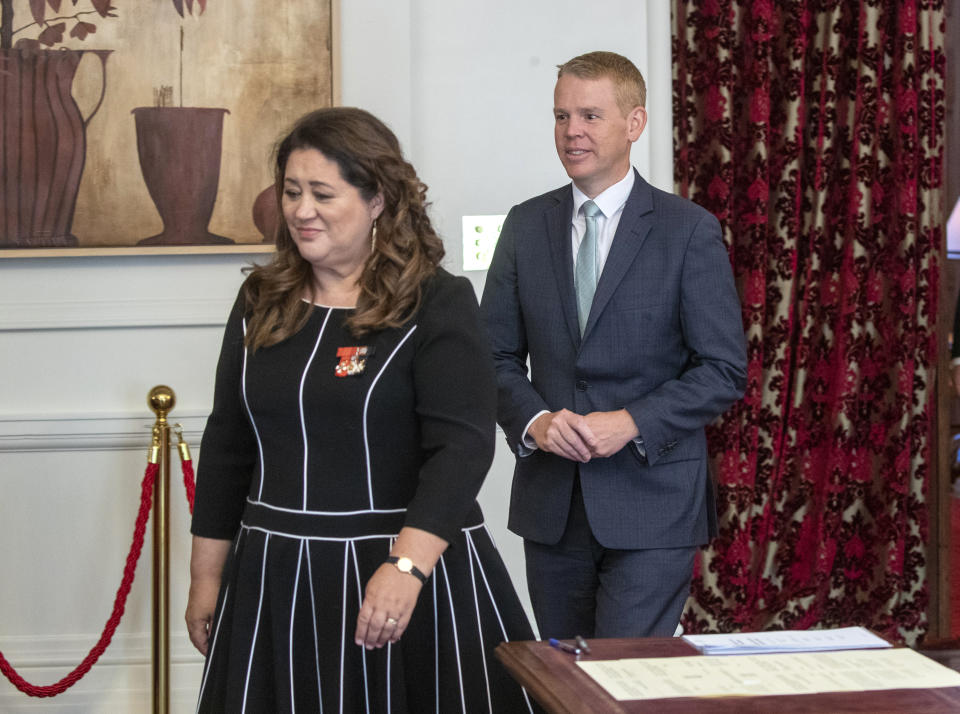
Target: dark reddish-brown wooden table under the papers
<point>556,682</point>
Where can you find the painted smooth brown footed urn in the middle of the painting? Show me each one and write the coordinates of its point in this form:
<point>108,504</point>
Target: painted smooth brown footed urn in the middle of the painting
<point>179,150</point>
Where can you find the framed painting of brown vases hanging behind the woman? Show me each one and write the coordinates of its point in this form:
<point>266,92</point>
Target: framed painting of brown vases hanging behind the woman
<point>148,126</point>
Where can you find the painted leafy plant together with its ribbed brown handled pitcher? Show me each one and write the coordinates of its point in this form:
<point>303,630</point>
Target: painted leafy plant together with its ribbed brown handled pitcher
<point>44,135</point>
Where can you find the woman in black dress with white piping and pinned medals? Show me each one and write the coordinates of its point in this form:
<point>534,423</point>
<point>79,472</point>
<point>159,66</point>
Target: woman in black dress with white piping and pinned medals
<point>340,561</point>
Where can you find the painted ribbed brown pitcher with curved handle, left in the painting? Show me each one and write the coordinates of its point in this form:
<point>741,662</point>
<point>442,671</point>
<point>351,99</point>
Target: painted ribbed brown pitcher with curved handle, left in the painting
<point>42,145</point>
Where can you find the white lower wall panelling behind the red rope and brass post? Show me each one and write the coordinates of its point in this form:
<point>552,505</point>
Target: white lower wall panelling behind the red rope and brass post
<point>67,523</point>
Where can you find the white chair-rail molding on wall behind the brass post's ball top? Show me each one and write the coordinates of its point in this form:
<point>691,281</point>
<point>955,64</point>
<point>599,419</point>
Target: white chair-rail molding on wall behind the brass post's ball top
<point>90,432</point>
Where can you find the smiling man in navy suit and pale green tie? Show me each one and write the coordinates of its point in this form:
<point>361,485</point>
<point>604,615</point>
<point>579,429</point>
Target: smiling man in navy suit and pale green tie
<point>622,298</point>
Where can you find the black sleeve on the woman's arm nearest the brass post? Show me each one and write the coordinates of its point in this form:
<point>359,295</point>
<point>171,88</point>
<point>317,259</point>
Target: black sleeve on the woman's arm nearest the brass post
<point>228,447</point>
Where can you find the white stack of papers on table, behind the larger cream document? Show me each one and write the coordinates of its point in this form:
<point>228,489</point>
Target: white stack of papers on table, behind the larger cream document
<point>845,638</point>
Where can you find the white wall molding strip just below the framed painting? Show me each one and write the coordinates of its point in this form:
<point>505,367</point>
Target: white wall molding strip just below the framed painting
<point>114,313</point>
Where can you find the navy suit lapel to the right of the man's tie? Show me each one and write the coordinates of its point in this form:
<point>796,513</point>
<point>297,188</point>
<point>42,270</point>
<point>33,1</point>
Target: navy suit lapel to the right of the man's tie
<point>635,224</point>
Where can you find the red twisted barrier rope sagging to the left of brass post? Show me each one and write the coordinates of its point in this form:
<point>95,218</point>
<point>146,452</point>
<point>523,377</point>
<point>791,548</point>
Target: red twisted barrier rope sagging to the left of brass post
<point>119,603</point>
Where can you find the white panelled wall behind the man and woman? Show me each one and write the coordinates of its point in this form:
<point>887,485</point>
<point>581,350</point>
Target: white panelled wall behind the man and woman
<point>468,89</point>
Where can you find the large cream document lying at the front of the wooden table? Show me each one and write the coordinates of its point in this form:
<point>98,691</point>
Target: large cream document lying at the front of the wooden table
<point>765,675</point>
